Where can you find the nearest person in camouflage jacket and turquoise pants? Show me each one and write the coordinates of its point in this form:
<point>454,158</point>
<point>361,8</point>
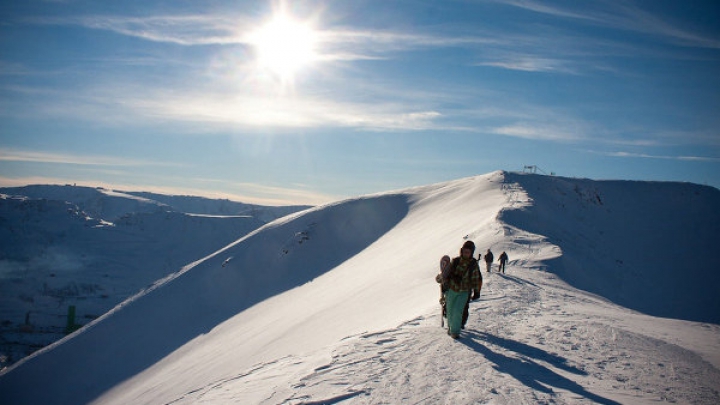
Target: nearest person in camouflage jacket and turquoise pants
<point>464,282</point>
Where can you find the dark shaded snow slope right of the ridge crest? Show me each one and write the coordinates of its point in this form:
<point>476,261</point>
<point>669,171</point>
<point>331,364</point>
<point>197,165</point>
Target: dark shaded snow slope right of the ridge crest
<point>644,245</point>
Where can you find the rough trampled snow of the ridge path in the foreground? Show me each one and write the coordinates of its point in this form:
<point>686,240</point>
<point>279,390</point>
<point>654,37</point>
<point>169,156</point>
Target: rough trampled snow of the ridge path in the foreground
<point>529,340</point>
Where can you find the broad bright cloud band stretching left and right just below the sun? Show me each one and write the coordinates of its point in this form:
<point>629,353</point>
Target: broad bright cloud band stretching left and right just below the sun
<point>221,104</point>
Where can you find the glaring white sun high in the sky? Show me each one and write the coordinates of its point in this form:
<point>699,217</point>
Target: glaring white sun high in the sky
<point>284,45</point>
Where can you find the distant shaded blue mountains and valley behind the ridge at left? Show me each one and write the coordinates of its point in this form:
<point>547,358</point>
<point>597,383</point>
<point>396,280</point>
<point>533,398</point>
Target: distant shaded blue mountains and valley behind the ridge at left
<point>91,249</point>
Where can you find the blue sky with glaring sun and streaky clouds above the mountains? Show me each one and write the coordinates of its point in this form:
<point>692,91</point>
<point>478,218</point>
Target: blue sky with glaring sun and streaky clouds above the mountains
<point>308,102</point>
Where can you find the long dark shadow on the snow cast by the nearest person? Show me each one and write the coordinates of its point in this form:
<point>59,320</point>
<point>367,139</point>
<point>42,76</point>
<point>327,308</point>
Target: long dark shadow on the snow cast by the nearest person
<point>525,369</point>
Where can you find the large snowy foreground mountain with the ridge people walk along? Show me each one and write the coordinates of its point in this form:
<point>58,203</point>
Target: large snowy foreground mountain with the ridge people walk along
<point>338,304</point>
